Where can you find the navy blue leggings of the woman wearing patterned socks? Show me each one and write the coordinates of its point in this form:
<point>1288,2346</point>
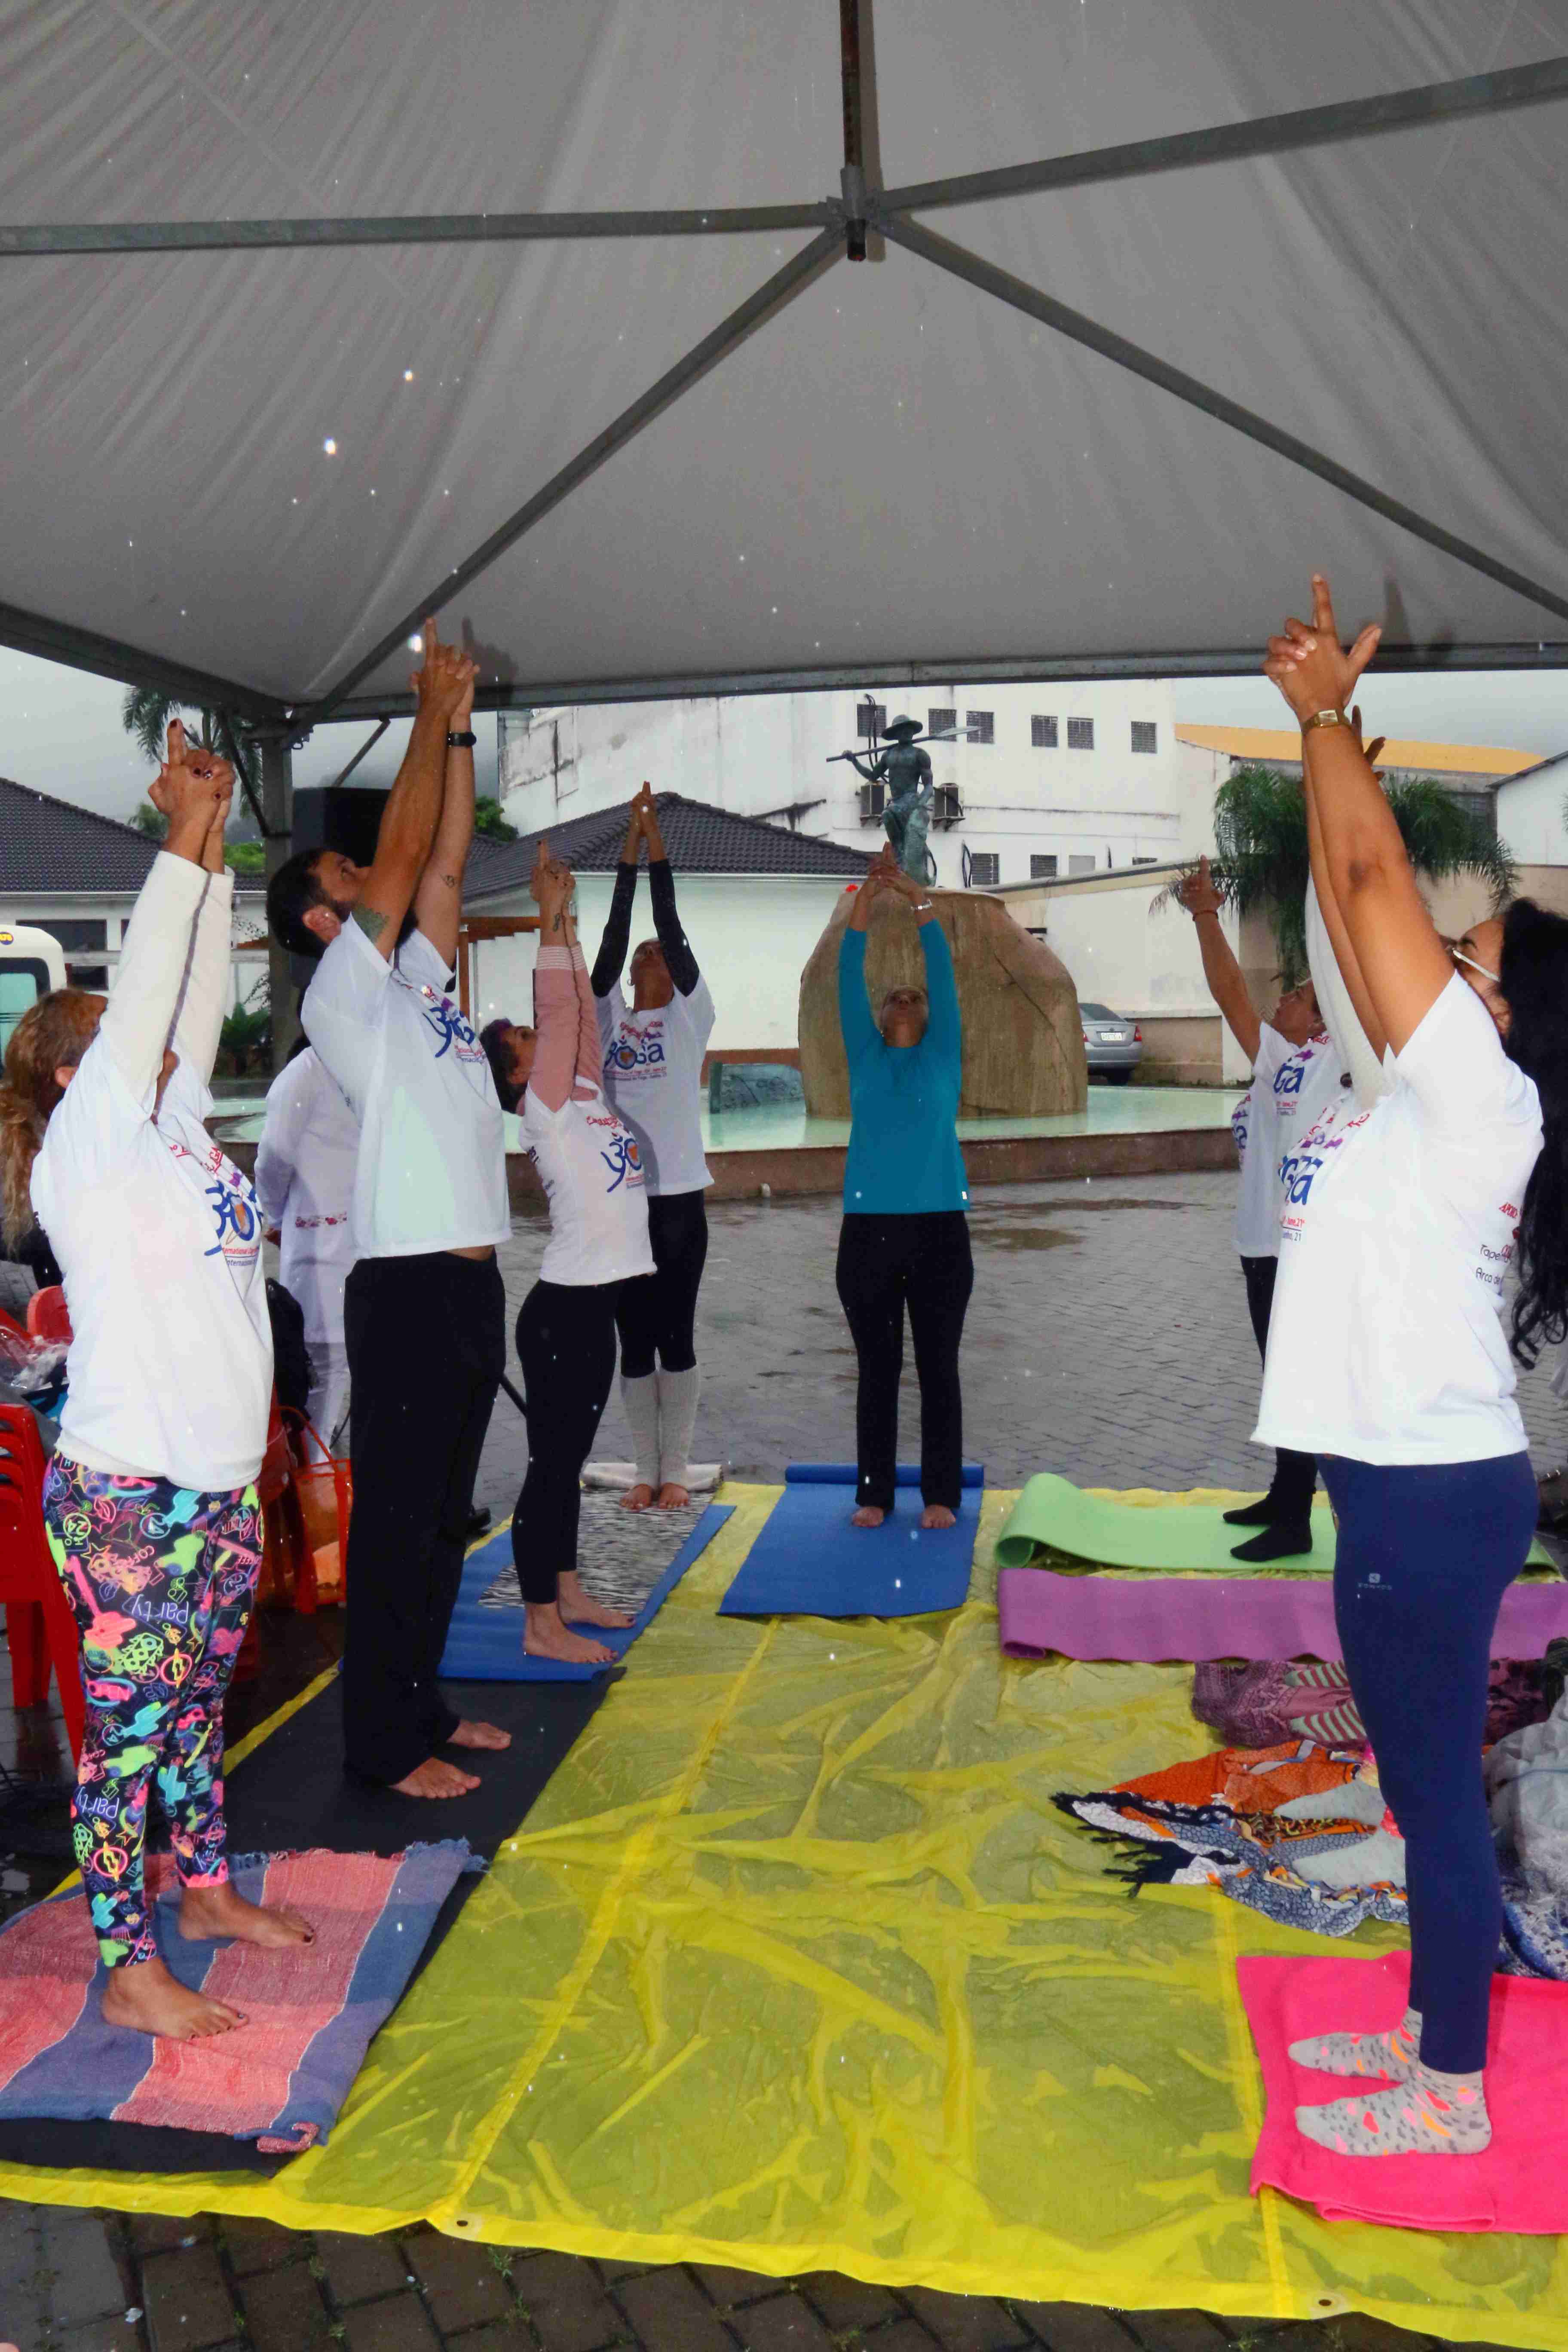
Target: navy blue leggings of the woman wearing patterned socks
<point>1423,1563</point>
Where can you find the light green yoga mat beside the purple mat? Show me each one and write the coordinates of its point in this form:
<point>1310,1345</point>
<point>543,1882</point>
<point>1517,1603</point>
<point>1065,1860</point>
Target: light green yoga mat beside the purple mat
<point>1174,1539</point>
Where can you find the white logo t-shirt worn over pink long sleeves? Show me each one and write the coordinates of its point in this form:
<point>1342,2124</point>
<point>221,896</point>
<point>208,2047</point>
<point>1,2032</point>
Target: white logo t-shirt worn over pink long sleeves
<point>591,1168</point>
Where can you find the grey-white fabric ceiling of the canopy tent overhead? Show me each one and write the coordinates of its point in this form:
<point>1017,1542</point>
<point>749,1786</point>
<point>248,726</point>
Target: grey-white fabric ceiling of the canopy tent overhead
<point>894,472</point>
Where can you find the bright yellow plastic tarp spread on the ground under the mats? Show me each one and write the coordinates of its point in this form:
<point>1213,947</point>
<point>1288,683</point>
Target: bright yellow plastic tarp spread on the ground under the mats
<point>800,1967</point>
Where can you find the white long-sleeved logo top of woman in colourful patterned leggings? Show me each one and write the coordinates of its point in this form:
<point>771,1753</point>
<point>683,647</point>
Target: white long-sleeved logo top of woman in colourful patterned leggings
<point>156,1231</point>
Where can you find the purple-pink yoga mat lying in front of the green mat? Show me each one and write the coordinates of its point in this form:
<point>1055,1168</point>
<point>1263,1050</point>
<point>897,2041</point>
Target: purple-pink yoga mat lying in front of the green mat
<point>1217,1617</point>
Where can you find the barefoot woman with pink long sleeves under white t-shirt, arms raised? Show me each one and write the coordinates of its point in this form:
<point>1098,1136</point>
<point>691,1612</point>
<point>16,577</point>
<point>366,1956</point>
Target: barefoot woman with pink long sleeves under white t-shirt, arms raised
<point>596,1184</point>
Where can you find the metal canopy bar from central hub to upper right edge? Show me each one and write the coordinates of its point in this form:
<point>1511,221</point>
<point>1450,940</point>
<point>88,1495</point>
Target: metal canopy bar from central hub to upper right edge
<point>1266,135</point>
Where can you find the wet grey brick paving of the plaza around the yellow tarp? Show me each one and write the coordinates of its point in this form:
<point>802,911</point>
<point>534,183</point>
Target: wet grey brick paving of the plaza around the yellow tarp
<point>1108,1339</point>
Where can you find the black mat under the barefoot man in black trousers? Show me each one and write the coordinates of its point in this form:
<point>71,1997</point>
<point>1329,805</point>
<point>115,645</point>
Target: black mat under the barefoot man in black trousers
<point>290,1796</point>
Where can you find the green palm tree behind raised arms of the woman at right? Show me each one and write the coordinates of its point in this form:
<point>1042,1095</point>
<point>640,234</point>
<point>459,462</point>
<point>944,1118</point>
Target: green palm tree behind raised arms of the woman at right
<point>1261,850</point>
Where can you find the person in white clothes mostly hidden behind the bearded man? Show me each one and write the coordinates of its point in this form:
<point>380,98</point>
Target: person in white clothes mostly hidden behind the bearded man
<point>304,1184</point>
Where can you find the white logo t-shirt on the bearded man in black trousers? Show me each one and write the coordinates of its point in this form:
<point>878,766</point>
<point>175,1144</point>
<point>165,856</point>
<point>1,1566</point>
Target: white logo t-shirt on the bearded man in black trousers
<point>431,1170</point>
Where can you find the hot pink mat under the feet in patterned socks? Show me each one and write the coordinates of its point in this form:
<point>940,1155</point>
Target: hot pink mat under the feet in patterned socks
<point>1517,2184</point>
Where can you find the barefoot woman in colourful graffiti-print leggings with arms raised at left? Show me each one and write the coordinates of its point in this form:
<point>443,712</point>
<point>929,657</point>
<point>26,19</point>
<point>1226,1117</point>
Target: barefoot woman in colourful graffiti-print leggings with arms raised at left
<point>149,1504</point>
